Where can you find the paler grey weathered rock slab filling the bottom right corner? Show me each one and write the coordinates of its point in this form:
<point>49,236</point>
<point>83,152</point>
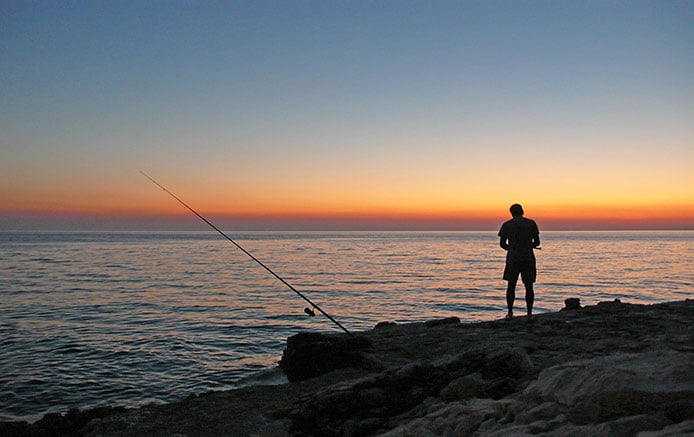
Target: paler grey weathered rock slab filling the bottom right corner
<point>621,394</point>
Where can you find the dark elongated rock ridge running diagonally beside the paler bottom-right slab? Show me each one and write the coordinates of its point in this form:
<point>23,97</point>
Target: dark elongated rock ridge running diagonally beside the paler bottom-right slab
<point>495,373</point>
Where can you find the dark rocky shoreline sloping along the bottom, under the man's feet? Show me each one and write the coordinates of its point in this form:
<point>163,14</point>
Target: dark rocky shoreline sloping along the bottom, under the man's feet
<point>610,369</point>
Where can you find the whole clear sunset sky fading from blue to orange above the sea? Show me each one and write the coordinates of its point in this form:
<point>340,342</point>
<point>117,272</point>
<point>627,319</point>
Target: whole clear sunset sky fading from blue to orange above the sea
<point>346,114</point>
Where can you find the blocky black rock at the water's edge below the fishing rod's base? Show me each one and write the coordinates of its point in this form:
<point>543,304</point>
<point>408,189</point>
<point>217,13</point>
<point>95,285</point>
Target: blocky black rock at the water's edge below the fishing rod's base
<point>312,354</point>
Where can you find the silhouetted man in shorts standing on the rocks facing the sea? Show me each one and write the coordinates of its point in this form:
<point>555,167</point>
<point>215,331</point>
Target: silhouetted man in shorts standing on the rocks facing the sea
<point>519,236</point>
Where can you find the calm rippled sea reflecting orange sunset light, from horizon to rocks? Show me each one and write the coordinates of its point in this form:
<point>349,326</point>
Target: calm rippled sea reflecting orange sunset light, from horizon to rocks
<point>89,319</point>
